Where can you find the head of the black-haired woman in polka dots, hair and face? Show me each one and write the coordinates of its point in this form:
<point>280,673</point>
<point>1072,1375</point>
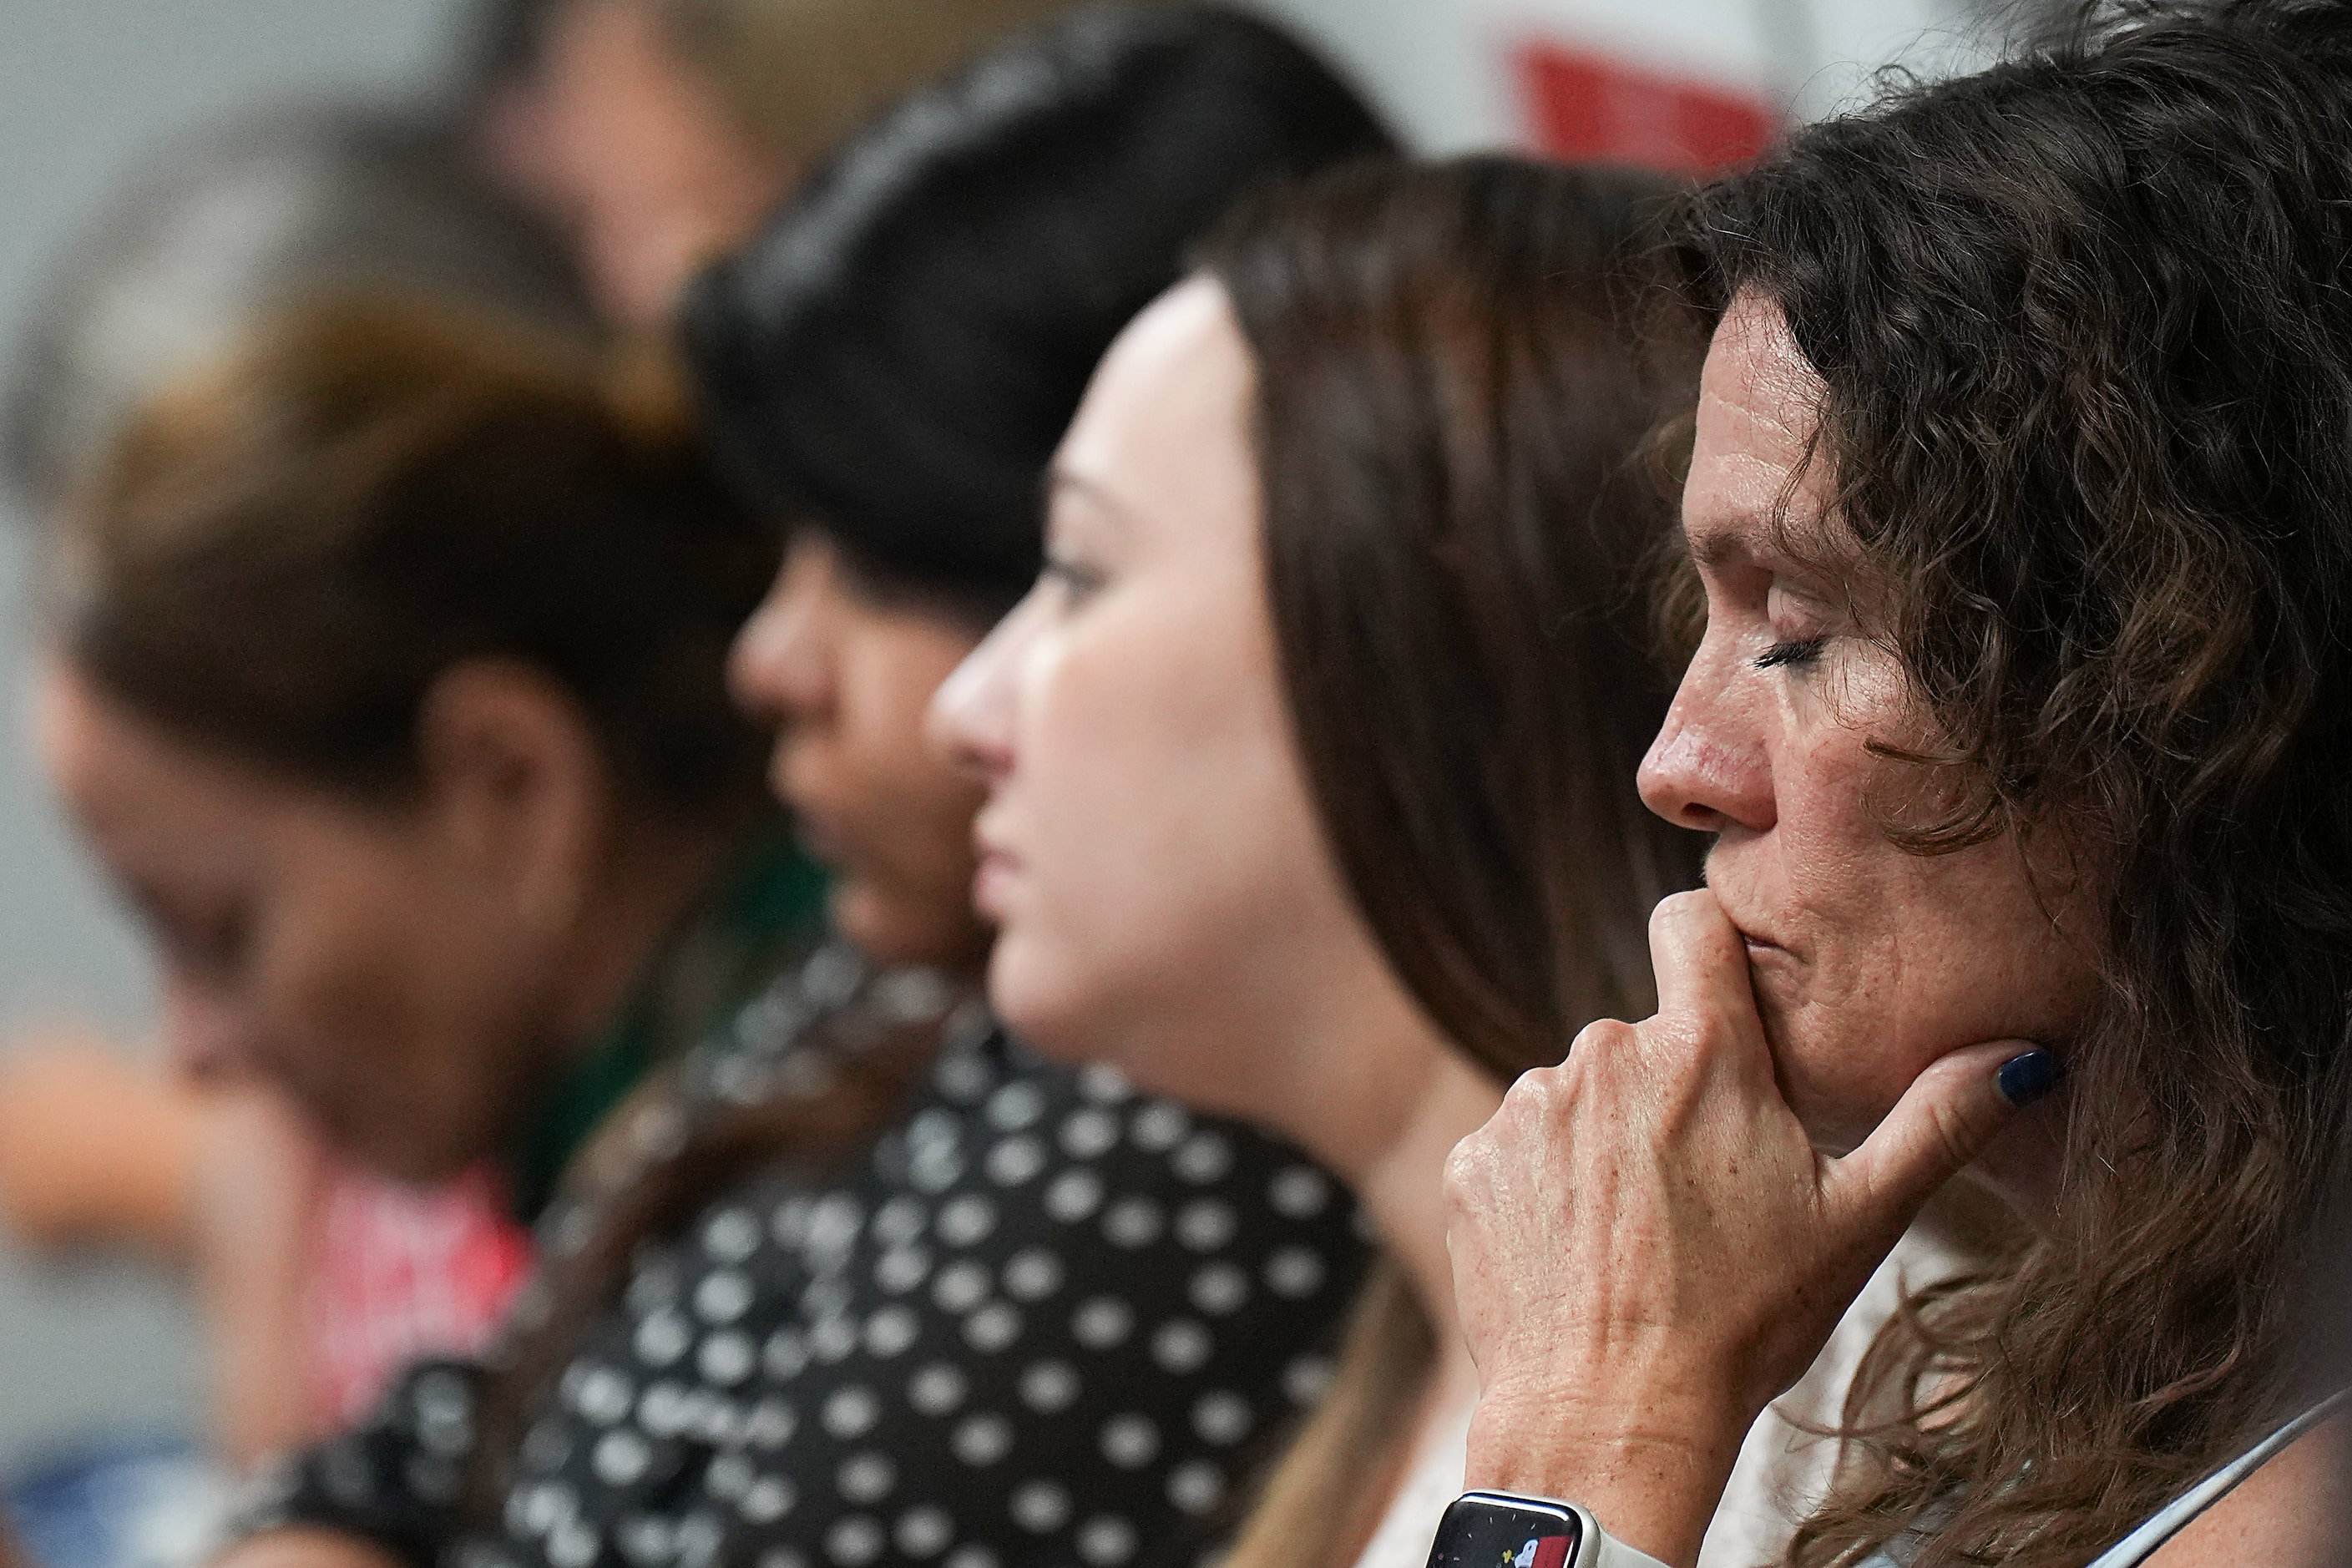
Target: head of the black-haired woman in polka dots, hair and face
<point>893,366</point>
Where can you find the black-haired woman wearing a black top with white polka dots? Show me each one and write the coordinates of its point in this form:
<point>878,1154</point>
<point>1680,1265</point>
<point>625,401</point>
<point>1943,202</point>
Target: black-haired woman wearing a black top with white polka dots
<point>878,1285</point>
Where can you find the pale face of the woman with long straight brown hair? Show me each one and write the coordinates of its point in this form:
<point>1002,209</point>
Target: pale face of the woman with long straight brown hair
<point>1149,850</point>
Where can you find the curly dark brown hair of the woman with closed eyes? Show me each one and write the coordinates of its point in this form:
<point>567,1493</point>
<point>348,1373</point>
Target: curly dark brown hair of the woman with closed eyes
<point>2085,328</point>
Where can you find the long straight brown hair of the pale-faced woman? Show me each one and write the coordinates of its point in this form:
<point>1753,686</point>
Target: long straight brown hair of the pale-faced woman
<point>1459,373</point>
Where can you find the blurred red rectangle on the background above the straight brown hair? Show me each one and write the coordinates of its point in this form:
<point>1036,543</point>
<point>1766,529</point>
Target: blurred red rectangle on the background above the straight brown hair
<point>1593,107</point>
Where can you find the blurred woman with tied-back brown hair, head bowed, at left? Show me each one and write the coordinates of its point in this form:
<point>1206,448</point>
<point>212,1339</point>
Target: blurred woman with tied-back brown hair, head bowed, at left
<point>387,681</point>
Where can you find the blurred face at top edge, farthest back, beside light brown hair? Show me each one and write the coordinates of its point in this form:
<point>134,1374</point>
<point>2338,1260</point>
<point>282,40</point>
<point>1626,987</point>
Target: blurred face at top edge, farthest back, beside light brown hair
<point>622,140</point>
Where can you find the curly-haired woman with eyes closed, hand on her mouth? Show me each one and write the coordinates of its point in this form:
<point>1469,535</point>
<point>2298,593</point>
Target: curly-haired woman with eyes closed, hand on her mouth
<point>2024,514</point>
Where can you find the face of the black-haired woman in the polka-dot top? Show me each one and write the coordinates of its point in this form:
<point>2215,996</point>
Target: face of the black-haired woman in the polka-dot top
<point>846,669</point>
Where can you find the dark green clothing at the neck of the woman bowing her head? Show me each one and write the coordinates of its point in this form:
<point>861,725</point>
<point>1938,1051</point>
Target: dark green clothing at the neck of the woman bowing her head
<point>770,904</point>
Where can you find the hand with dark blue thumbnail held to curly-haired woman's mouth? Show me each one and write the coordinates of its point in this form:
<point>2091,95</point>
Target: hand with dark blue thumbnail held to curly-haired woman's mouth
<point>1648,1247</point>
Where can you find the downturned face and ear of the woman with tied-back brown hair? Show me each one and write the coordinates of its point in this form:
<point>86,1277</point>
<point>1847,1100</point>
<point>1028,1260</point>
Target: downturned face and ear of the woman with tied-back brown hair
<point>382,965</point>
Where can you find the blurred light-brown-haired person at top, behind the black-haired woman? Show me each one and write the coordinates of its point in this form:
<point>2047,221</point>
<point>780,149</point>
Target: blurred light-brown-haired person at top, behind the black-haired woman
<point>660,133</point>
